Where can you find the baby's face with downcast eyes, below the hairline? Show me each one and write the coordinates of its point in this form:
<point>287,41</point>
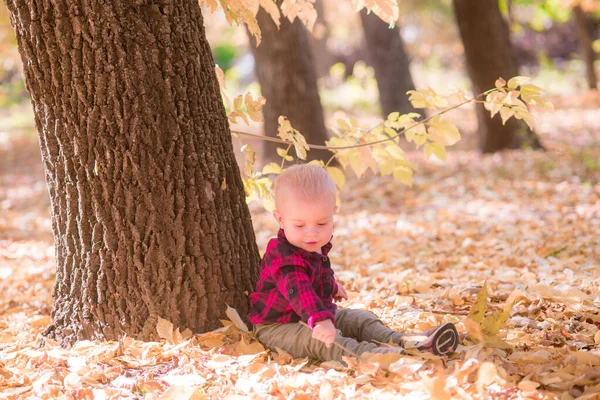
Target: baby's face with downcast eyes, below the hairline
<point>307,224</point>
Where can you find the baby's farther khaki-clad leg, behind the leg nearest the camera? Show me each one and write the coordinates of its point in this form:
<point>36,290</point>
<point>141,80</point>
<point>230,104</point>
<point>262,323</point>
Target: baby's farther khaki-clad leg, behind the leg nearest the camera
<point>365,326</point>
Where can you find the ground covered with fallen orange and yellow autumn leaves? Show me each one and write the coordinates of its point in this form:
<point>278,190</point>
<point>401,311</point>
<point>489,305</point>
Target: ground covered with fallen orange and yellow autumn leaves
<point>416,256</point>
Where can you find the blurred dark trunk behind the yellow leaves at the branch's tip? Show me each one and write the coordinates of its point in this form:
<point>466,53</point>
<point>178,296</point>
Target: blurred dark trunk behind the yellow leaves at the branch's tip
<point>489,56</point>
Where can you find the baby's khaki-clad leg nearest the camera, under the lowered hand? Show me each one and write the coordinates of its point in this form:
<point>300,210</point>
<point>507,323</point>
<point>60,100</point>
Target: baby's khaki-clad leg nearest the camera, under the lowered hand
<point>296,339</point>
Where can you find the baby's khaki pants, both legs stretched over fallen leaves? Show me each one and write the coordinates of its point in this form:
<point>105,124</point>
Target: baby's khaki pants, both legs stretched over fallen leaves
<point>357,330</point>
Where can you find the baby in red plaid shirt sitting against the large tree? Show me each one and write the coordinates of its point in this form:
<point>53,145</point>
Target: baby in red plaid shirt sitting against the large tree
<point>297,283</point>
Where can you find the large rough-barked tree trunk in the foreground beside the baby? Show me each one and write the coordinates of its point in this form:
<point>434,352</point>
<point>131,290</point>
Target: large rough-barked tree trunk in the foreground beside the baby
<point>148,207</point>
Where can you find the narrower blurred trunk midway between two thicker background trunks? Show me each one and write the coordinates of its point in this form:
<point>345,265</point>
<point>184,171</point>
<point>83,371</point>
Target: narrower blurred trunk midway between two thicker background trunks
<point>385,52</point>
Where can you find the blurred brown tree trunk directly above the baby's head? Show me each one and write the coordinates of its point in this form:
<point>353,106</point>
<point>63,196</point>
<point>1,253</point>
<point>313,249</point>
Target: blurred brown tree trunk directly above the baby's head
<point>288,80</point>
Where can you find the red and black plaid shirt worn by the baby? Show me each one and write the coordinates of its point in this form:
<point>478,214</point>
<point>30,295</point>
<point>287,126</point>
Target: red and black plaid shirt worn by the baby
<point>294,285</point>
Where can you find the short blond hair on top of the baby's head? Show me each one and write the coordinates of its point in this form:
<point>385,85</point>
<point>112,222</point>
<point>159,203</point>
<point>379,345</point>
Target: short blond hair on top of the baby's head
<point>307,181</point>
